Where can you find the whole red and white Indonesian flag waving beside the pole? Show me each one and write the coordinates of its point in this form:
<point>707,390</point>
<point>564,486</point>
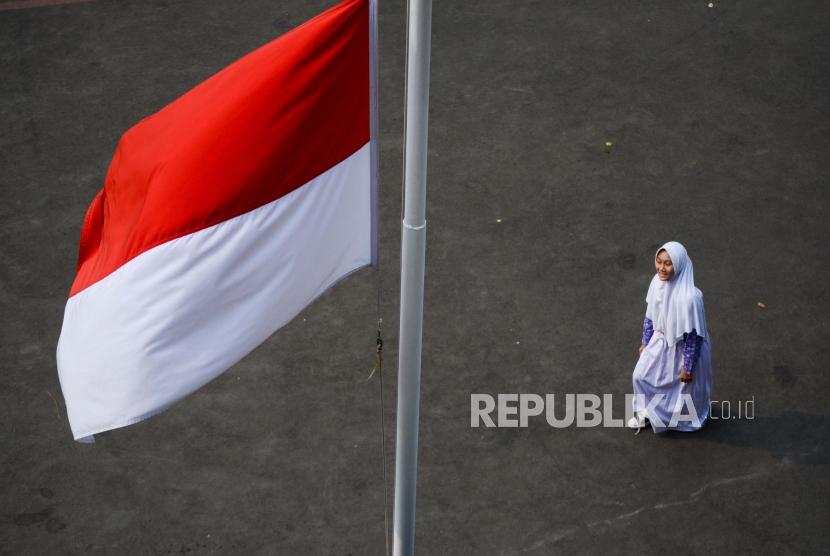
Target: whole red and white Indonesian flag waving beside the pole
<point>221,217</point>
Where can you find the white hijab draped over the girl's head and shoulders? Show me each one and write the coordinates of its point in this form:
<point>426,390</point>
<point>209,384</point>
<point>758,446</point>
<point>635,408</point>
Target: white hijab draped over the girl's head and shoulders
<point>676,306</point>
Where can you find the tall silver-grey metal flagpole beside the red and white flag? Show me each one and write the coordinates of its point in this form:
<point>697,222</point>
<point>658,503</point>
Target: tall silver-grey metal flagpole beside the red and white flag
<point>413,248</point>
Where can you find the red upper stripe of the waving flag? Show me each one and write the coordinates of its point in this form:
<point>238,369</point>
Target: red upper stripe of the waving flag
<point>255,131</point>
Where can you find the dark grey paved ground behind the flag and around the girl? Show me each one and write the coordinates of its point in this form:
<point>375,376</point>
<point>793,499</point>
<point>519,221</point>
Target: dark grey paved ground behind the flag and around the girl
<point>719,124</point>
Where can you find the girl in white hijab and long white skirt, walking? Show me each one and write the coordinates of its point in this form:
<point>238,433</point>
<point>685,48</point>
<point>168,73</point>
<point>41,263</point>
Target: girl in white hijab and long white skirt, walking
<point>673,377</point>
